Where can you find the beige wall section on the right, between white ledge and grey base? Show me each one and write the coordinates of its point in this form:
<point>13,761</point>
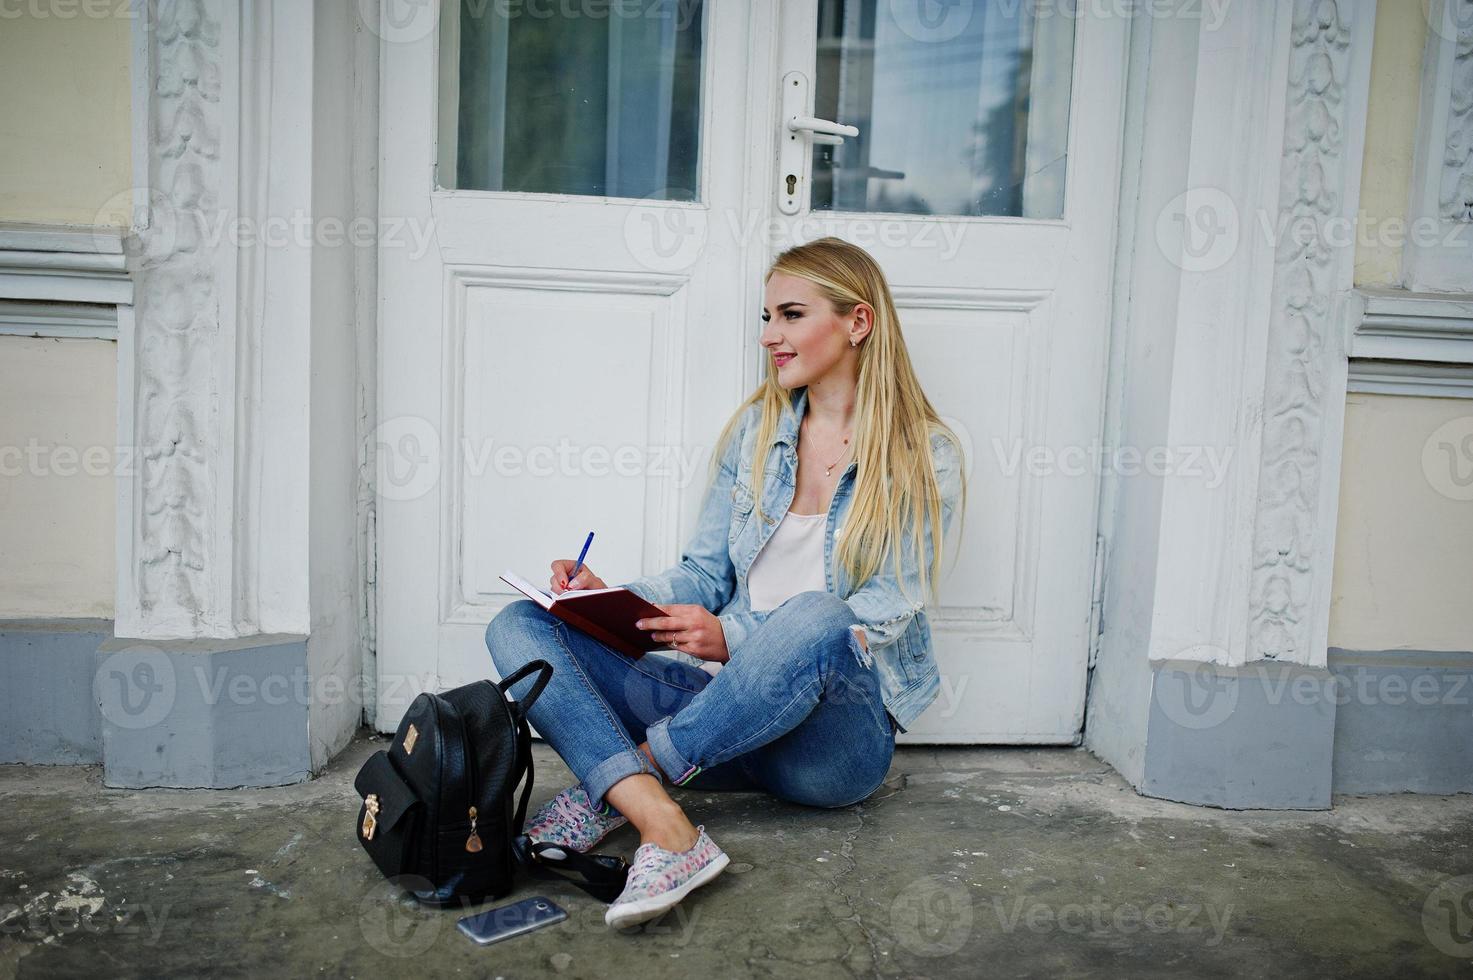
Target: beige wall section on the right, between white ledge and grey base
<point>1405,542</point>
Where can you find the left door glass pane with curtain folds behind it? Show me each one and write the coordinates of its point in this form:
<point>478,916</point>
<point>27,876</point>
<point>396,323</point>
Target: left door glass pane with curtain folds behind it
<point>572,99</point>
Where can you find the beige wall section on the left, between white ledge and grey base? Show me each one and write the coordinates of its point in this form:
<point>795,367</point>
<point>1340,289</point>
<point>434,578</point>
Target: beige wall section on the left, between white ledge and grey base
<point>58,409</point>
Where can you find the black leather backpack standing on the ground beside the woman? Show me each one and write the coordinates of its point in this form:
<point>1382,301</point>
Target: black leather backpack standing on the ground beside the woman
<point>438,811</point>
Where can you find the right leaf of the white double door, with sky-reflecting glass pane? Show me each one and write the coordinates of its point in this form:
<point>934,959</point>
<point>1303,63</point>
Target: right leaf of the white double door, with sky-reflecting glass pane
<point>985,181</point>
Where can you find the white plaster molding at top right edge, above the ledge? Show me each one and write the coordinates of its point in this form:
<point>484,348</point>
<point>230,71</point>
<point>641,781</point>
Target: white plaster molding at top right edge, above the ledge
<point>1438,256</point>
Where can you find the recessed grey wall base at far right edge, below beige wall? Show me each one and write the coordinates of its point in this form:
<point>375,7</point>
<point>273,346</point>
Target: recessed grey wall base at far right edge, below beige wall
<point>1405,723</point>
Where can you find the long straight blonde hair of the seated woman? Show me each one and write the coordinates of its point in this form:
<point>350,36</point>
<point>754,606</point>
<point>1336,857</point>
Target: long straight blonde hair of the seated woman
<point>893,421</point>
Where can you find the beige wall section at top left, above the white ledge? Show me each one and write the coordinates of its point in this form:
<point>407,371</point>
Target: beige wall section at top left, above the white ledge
<point>64,113</point>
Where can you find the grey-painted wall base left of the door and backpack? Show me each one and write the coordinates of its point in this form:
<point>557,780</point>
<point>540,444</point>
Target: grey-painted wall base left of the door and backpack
<point>172,714</point>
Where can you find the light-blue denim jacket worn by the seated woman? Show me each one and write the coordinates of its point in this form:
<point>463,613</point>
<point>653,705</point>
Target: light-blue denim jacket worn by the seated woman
<point>714,568</point>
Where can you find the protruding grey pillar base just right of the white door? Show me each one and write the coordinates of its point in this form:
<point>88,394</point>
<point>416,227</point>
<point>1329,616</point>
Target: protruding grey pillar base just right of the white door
<point>1251,738</point>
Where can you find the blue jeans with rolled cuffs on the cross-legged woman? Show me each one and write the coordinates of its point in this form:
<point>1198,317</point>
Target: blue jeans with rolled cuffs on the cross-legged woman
<point>793,713</point>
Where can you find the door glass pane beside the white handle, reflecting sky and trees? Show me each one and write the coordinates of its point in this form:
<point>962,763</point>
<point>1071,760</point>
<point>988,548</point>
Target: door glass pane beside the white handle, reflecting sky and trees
<point>963,110</point>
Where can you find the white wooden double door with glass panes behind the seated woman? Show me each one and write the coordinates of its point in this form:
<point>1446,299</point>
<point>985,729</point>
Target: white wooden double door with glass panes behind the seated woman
<point>605,195</point>
